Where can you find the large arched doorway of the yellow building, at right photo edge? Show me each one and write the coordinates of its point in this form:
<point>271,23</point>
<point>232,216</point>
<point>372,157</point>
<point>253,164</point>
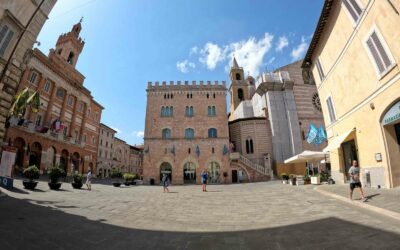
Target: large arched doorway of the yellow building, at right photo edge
<point>391,128</point>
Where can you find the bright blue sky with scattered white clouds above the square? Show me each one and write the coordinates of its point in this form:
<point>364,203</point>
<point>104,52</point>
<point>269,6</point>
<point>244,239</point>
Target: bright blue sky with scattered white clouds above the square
<point>131,42</point>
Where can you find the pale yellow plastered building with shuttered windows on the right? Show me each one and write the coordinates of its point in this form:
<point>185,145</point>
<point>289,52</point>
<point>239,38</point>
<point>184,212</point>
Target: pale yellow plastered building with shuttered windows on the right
<point>354,56</point>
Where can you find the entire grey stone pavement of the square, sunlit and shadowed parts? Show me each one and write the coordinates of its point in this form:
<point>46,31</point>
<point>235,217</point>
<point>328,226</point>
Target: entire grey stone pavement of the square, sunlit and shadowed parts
<point>246,216</point>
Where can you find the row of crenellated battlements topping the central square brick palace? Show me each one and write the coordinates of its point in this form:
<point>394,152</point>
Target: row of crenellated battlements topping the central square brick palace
<point>193,85</point>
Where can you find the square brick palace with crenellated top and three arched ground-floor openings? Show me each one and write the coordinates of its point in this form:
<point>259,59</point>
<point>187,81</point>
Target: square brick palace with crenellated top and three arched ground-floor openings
<point>186,131</point>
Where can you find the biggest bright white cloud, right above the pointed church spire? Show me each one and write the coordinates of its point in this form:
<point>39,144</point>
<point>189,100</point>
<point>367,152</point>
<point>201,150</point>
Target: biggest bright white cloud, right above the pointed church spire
<point>250,54</point>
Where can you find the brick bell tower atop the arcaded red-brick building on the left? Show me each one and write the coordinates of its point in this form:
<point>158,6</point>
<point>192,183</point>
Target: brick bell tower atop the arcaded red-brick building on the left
<point>69,46</point>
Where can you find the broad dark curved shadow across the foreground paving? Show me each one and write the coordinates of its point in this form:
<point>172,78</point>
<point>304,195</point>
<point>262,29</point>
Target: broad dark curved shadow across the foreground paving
<point>25,225</point>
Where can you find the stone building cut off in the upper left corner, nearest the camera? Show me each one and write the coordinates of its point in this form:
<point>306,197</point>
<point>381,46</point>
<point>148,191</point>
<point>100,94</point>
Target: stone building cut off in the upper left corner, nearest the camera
<point>14,19</point>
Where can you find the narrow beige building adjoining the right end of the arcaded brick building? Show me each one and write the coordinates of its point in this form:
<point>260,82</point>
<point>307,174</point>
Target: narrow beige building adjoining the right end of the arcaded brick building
<point>105,160</point>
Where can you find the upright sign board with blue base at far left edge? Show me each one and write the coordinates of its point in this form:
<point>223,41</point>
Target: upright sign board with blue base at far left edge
<point>6,165</point>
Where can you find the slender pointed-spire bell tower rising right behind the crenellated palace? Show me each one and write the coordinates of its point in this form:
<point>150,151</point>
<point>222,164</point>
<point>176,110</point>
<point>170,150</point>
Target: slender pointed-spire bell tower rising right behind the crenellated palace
<point>238,88</point>
